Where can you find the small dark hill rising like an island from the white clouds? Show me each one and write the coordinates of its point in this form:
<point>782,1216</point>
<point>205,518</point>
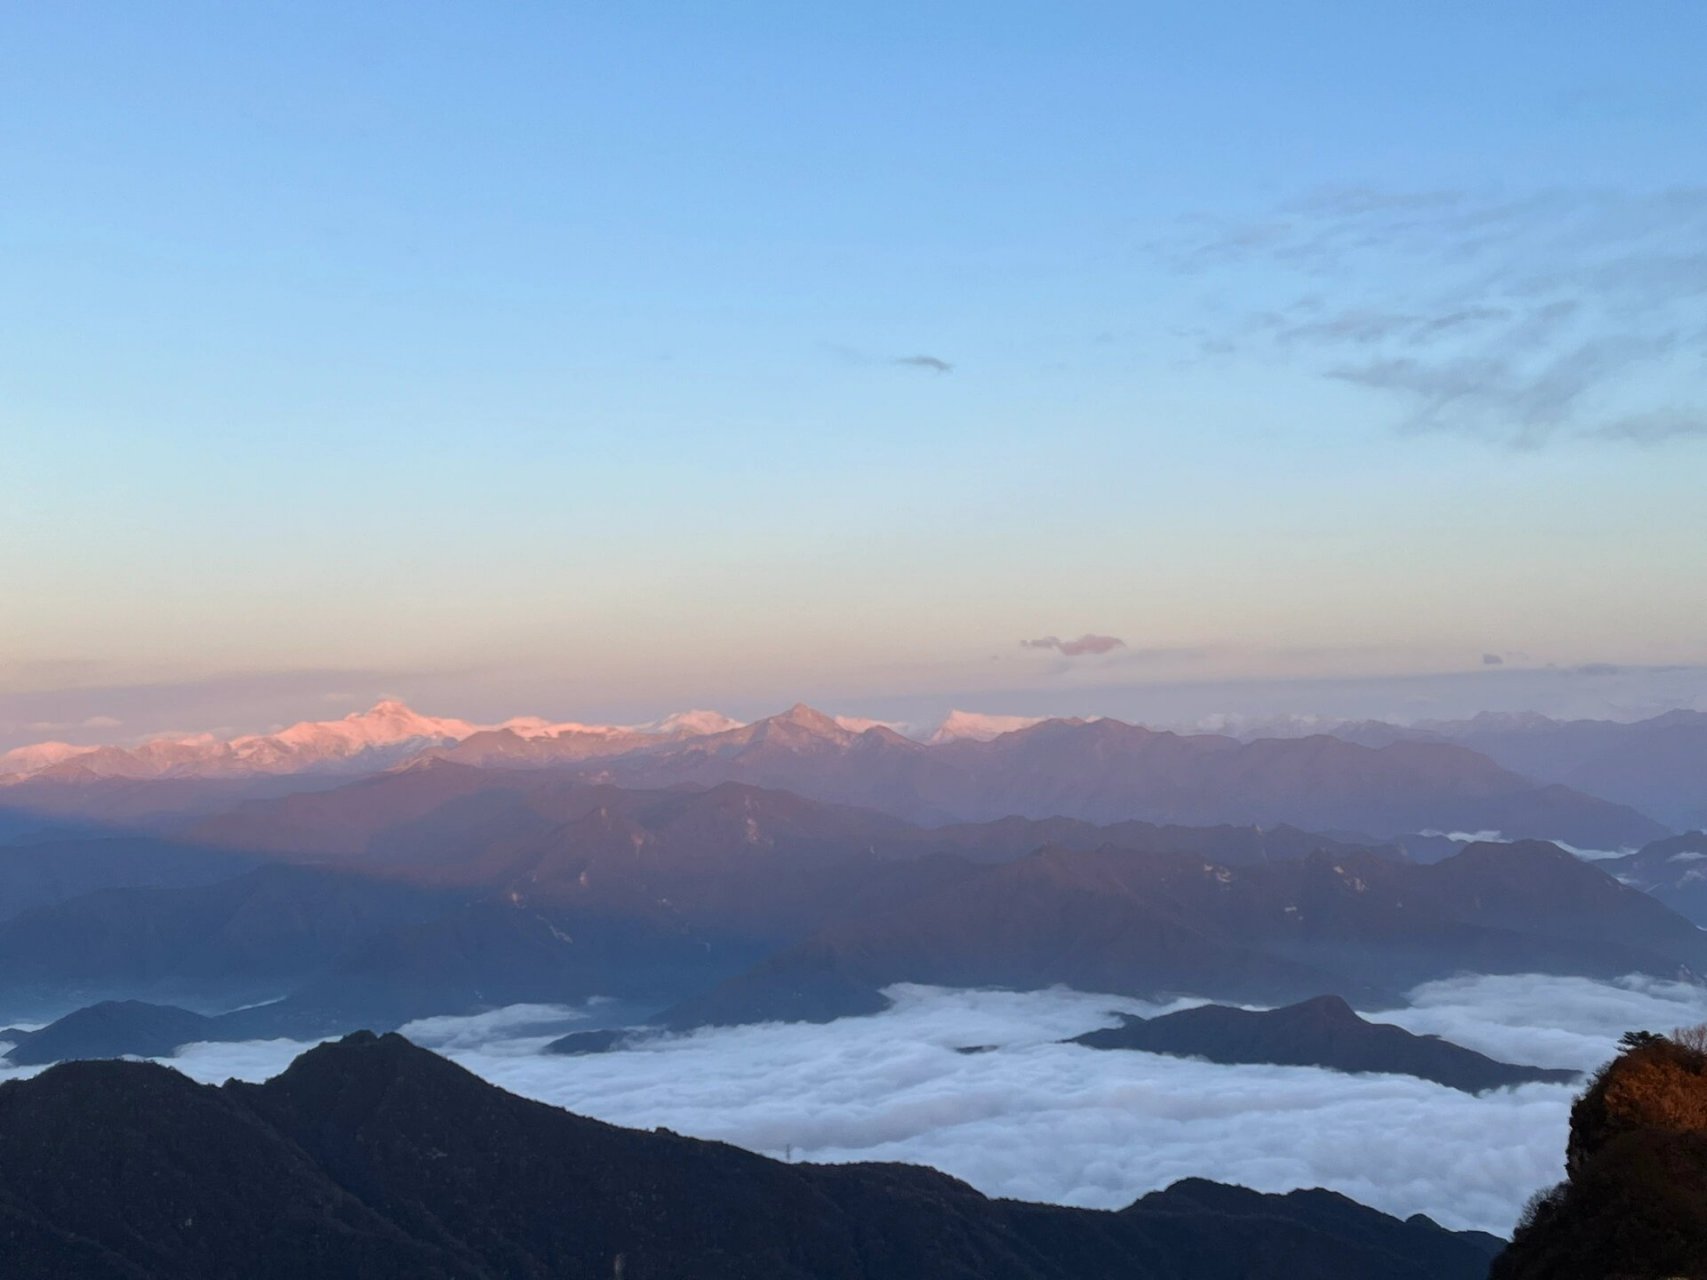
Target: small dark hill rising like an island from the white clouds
<point>1315,1033</point>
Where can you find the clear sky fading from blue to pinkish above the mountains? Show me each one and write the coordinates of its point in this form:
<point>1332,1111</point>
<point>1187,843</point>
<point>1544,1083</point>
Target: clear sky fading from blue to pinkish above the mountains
<point>598,361</point>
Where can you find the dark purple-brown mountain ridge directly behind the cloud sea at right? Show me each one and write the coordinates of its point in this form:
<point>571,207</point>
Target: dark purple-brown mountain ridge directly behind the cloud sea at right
<point>1150,926</point>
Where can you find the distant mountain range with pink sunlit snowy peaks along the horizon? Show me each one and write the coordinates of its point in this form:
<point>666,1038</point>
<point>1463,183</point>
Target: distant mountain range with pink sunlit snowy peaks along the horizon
<point>1092,771</point>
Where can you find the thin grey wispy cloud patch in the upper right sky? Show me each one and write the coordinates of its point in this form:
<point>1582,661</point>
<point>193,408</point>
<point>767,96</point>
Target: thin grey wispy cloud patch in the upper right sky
<point>1513,320</point>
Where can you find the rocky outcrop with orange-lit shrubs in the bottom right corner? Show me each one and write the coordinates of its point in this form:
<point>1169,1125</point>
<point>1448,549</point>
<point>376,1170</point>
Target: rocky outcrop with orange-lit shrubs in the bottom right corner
<point>1634,1202</point>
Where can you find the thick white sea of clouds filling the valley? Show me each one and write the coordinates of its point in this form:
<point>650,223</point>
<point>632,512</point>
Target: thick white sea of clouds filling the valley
<point>1040,1120</point>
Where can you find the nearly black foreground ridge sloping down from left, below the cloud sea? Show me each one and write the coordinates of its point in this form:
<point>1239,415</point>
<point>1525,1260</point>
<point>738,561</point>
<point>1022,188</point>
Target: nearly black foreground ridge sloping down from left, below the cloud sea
<point>373,1158</point>
